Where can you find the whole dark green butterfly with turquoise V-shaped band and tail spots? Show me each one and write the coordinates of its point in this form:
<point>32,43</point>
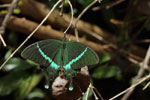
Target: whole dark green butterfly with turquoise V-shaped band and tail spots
<point>60,57</point>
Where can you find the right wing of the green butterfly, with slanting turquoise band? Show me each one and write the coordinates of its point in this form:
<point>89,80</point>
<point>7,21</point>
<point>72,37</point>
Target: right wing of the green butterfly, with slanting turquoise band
<point>78,55</point>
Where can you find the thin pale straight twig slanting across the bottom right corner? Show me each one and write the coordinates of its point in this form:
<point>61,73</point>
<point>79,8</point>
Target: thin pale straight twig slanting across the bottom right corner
<point>133,86</point>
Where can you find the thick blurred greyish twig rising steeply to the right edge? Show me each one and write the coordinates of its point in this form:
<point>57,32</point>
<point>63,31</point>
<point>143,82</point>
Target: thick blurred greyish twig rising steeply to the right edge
<point>143,66</point>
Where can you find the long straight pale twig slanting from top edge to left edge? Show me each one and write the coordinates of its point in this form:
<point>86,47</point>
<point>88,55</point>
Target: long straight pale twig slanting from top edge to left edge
<point>31,34</point>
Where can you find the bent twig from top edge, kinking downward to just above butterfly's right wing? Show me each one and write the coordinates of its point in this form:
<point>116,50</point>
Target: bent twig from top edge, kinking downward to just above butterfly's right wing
<point>81,14</point>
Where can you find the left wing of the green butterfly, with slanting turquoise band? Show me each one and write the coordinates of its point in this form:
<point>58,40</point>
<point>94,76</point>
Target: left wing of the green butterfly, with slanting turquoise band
<point>42,52</point>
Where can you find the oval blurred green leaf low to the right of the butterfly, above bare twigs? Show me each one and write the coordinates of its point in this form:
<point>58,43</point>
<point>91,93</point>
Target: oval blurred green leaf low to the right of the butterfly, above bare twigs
<point>106,72</point>
